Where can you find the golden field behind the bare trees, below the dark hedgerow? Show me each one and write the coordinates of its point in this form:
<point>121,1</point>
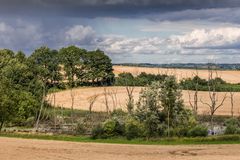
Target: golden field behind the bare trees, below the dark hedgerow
<point>116,97</point>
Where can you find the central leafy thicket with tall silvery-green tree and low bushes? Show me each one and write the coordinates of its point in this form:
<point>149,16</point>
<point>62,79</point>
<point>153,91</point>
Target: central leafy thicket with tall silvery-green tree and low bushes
<point>160,113</point>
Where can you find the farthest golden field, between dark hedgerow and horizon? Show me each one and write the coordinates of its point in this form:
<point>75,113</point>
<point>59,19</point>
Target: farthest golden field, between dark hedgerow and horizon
<point>230,76</point>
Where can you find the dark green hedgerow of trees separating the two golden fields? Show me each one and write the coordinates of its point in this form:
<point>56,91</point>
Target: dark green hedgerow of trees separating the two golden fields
<point>144,79</point>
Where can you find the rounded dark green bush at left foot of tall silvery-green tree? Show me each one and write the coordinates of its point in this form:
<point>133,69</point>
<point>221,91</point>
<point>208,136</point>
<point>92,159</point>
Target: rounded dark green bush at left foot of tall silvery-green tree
<point>133,129</point>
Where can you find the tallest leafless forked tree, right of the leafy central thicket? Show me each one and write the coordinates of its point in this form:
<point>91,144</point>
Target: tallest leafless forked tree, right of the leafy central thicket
<point>213,95</point>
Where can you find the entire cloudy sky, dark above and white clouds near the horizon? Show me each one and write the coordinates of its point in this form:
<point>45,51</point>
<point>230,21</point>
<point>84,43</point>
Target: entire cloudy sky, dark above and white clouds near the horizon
<point>136,31</point>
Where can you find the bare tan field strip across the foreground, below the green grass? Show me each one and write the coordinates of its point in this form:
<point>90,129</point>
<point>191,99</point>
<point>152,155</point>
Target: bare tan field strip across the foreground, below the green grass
<point>26,149</point>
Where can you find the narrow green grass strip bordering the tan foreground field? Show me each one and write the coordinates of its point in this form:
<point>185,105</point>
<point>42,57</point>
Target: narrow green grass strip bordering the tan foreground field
<point>224,139</point>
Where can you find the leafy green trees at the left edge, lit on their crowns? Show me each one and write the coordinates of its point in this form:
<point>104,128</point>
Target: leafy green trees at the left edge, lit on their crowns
<point>19,89</point>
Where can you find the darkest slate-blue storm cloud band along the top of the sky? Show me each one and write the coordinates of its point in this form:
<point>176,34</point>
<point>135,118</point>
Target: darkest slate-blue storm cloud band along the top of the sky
<point>98,8</point>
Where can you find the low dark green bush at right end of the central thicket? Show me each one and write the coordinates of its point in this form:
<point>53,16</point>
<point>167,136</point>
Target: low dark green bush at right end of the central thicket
<point>198,131</point>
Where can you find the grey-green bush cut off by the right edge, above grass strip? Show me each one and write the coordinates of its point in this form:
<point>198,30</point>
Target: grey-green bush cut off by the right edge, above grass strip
<point>232,126</point>
